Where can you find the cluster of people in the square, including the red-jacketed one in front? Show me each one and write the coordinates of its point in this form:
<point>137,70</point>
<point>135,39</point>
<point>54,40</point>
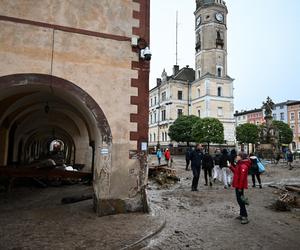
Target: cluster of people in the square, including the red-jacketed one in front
<point>231,168</point>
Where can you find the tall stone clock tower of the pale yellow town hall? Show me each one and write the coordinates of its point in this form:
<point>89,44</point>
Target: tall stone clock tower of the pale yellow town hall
<point>212,91</point>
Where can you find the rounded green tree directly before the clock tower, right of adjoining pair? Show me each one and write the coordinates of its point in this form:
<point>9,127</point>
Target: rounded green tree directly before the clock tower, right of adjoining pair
<point>208,130</point>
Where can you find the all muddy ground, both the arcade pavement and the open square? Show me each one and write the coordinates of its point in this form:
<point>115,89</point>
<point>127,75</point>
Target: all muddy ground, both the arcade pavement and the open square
<point>34,218</point>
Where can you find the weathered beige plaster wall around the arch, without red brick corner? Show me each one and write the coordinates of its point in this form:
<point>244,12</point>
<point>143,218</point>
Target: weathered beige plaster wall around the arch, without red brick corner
<point>99,64</point>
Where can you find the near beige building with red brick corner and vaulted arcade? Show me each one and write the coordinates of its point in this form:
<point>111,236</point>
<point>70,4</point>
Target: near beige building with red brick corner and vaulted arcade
<point>71,71</point>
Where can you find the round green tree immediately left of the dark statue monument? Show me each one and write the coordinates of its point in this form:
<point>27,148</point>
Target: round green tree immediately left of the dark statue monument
<point>247,133</point>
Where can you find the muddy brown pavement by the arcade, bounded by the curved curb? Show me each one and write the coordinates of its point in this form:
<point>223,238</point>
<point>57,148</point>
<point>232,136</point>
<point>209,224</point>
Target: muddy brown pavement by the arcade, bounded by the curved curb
<point>33,218</point>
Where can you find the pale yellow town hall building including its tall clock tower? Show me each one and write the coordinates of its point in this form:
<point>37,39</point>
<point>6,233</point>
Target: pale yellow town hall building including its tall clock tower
<point>209,93</point>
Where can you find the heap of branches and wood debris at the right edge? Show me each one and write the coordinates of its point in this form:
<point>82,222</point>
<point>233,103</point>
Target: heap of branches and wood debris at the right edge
<point>289,198</point>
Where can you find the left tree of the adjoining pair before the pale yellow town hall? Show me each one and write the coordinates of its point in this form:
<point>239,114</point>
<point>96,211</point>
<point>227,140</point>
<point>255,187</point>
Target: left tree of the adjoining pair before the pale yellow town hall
<point>181,129</point>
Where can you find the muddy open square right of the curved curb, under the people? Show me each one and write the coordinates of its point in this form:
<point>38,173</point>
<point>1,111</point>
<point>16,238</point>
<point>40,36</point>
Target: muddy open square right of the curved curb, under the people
<point>206,219</point>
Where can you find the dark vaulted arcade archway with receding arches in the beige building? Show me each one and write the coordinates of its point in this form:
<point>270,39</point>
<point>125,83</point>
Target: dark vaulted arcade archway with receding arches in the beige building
<point>37,110</point>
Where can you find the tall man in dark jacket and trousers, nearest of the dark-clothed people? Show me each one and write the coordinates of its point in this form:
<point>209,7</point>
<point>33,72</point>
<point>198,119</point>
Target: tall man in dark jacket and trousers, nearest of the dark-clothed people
<point>196,160</point>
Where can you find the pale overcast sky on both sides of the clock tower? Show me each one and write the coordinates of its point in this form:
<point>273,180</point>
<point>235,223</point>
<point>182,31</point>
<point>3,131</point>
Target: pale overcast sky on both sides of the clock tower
<point>263,46</point>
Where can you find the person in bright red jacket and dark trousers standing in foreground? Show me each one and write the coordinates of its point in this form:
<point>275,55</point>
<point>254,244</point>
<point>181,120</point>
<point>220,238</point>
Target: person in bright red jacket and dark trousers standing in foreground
<point>240,182</point>
